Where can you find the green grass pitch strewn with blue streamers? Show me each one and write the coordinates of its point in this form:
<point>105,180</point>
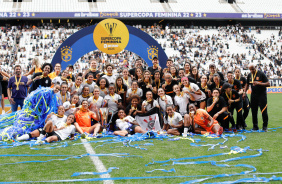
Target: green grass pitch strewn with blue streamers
<point>269,161</point>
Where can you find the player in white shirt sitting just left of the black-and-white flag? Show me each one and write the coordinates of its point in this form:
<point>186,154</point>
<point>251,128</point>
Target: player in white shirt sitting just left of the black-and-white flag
<point>127,125</point>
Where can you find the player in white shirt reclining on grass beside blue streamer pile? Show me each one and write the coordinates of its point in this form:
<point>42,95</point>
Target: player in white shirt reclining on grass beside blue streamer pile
<point>57,132</point>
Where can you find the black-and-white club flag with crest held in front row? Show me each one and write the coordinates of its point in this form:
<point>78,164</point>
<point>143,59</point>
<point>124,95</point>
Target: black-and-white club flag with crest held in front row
<point>149,121</point>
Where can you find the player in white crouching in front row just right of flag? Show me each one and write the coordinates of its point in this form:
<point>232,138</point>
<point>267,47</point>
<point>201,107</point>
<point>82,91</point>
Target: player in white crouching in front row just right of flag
<point>173,121</point>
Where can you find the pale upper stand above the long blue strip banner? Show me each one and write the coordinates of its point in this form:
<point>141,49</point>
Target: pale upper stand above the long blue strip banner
<point>245,6</point>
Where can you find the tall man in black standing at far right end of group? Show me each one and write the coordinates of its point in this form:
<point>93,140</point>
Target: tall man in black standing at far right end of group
<point>259,82</point>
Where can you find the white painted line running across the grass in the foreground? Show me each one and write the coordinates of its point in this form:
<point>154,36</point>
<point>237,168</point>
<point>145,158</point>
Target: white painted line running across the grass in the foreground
<point>97,162</point>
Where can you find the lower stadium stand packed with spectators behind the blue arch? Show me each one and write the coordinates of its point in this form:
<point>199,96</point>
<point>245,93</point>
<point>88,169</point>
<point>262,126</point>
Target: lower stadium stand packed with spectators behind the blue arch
<point>225,46</point>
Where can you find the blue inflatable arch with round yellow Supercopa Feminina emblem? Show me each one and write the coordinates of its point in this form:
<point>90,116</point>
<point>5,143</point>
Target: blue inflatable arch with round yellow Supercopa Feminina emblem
<point>110,36</point>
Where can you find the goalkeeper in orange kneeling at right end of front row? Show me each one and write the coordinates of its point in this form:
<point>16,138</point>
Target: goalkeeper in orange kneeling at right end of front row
<point>201,121</point>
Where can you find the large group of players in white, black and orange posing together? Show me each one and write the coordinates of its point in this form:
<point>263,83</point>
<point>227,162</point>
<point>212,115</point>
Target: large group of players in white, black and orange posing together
<point>187,101</point>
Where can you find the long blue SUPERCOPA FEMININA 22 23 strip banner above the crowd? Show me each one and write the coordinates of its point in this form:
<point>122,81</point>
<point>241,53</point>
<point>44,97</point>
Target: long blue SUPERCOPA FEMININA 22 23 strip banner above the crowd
<point>134,15</point>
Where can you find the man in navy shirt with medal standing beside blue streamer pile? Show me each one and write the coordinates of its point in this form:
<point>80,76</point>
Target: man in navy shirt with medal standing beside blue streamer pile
<point>17,89</point>
